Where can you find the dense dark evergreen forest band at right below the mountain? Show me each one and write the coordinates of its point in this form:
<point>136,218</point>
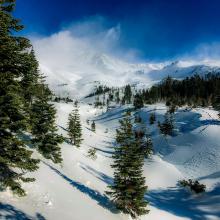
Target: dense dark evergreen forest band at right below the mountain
<point>193,91</point>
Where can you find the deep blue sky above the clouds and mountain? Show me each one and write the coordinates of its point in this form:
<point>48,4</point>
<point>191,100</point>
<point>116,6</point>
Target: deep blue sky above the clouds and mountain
<point>157,29</point>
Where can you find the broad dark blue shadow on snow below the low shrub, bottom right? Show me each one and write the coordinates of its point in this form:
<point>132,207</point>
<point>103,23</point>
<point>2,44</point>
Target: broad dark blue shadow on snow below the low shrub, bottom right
<point>182,203</point>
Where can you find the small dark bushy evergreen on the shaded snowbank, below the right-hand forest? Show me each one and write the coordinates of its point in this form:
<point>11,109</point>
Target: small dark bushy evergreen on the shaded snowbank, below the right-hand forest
<point>166,128</point>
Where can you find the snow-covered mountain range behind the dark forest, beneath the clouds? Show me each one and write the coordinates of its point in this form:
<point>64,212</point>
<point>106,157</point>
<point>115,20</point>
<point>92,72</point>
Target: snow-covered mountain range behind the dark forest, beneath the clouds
<point>78,77</point>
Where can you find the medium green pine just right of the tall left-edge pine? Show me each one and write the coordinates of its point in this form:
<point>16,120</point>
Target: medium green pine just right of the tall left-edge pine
<point>44,130</point>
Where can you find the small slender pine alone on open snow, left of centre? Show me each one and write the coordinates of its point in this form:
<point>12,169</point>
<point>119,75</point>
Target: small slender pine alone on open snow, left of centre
<point>74,127</point>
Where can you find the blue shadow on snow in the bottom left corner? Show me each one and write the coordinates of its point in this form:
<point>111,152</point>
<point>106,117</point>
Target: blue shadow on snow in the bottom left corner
<point>9,212</point>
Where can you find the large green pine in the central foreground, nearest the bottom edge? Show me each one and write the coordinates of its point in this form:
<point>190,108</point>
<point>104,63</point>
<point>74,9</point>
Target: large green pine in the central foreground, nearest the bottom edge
<point>128,189</point>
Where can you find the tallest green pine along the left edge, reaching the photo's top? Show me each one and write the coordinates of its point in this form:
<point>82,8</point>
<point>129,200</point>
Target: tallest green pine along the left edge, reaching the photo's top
<point>15,158</point>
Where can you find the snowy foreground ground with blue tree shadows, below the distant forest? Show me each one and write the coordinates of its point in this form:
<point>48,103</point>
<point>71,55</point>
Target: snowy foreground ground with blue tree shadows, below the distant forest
<point>76,189</point>
